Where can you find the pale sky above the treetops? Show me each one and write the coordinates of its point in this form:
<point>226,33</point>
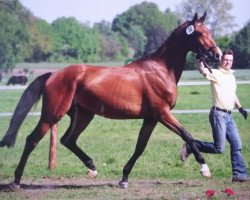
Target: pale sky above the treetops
<point>97,10</point>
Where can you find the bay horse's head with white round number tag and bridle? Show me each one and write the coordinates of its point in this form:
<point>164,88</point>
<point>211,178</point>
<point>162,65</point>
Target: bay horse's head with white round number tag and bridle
<point>200,40</point>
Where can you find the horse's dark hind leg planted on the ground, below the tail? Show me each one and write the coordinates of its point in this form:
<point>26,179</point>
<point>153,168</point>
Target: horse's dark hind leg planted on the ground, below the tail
<point>31,142</point>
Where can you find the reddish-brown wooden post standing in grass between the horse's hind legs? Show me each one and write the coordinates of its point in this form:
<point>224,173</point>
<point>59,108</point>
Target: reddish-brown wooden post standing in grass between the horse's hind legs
<point>52,150</point>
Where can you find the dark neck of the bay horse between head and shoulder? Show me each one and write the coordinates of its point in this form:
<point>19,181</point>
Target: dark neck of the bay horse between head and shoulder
<point>173,54</point>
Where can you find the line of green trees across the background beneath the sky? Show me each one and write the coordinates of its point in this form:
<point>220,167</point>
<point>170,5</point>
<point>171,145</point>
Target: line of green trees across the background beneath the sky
<point>135,33</point>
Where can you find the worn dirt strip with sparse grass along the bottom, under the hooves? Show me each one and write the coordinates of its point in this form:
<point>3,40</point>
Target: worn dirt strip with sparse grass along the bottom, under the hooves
<point>84,188</point>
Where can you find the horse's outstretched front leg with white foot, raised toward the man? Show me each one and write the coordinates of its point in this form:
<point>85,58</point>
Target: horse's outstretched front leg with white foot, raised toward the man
<point>171,122</point>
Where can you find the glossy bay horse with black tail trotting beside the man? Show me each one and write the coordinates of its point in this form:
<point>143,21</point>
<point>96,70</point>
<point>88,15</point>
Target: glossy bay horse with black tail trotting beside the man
<point>144,89</point>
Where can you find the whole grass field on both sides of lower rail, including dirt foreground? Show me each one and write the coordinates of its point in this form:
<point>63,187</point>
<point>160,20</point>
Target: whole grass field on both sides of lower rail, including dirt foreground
<point>158,173</point>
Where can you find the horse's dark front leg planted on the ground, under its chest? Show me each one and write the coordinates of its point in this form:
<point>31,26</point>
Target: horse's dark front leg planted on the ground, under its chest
<point>144,135</point>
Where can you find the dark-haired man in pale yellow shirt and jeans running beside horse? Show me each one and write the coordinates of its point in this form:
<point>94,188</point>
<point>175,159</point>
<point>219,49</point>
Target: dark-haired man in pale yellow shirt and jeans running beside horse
<point>224,99</point>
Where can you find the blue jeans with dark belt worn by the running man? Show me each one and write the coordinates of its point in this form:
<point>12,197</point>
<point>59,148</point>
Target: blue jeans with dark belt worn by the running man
<point>224,127</point>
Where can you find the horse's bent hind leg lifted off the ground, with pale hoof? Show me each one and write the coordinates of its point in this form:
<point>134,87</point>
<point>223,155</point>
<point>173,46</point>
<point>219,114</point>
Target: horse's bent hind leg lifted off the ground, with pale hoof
<point>80,119</point>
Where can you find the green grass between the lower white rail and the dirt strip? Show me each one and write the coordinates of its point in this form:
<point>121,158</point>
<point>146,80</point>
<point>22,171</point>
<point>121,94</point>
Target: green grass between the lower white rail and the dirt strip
<point>112,142</point>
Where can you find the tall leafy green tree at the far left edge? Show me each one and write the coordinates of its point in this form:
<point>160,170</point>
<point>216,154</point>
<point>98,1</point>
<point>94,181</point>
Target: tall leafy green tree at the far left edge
<point>14,36</point>
